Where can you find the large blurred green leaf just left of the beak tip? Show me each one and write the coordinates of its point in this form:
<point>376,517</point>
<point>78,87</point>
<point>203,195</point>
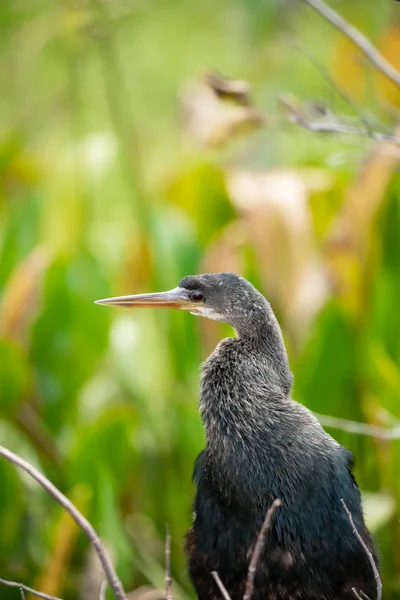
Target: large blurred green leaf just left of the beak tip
<point>70,335</point>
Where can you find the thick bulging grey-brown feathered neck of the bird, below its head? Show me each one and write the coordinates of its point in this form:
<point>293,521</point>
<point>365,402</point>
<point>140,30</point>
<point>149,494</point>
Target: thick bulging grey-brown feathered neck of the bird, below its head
<point>244,376</point>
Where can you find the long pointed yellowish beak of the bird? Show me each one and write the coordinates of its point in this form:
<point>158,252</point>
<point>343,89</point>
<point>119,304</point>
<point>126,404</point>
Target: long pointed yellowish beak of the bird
<point>176,298</point>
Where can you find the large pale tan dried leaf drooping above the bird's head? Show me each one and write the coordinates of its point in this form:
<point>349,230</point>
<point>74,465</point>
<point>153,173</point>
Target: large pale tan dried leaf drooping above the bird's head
<point>275,209</point>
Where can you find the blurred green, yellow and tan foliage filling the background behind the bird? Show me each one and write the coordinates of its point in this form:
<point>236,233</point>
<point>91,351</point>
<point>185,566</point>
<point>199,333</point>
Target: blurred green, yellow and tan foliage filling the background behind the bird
<point>121,171</point>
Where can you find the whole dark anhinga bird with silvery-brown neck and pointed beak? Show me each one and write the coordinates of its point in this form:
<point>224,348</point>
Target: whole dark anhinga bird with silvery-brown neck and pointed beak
<point>262,445</point>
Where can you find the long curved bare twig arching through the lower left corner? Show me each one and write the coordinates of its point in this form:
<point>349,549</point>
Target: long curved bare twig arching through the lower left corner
<point>79,519</point>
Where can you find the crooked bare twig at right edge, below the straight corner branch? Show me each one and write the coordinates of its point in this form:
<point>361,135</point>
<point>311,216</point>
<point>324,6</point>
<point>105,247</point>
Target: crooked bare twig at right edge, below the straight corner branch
<point>296,114</point>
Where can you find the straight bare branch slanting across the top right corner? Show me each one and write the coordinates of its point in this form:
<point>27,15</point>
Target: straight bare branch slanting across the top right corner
<point>359,39</point>
